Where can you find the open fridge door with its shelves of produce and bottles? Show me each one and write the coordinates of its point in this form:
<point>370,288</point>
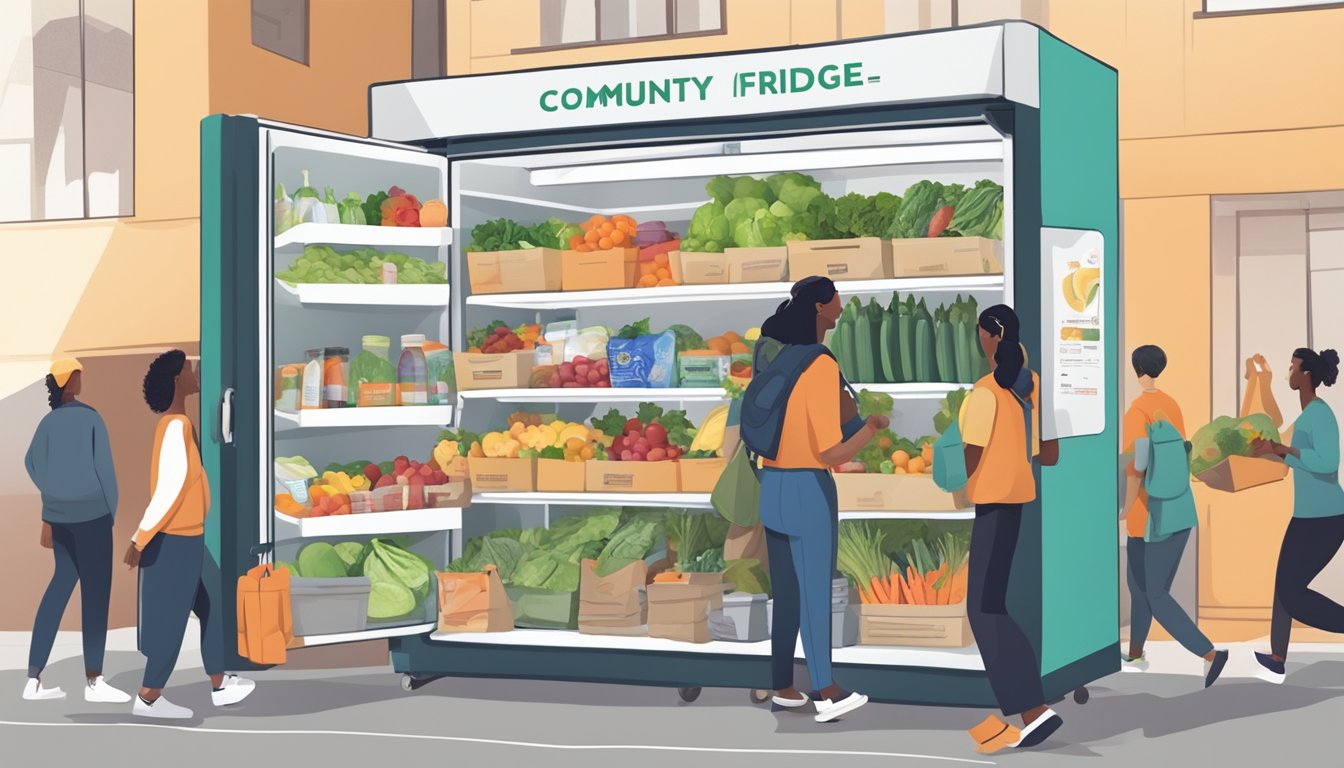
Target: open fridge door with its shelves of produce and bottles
<point>295,260</point>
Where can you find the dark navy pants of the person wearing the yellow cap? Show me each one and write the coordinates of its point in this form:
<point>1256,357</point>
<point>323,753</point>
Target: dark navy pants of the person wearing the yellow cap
<point>84,556</point>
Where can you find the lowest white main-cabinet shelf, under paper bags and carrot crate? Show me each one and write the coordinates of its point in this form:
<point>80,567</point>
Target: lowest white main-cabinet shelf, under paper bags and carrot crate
<point>866,656</point>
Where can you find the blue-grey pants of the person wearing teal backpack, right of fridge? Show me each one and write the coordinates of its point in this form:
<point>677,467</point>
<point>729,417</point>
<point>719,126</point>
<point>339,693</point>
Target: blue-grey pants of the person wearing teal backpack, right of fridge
<point>1152,570</point>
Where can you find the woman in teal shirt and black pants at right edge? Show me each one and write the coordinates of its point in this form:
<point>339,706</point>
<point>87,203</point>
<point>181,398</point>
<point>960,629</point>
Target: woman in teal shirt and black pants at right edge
<point>1316,531</point>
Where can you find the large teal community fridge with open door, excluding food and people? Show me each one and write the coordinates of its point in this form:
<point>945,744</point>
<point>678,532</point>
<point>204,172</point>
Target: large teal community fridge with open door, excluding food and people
<point>1007,103</point>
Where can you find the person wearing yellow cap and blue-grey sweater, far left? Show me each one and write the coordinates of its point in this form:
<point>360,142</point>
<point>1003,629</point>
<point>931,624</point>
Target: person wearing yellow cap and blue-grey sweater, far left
<point>71,463</point>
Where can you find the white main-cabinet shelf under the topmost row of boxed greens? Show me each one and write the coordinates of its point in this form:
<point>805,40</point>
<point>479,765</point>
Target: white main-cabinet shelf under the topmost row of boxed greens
<point>736,293</point>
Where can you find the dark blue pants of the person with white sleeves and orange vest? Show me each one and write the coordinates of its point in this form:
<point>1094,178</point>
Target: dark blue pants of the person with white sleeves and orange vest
<point>171,588</point>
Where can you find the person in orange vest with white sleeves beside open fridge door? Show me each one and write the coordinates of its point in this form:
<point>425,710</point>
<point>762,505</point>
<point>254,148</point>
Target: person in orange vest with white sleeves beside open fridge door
<point>170,548</point>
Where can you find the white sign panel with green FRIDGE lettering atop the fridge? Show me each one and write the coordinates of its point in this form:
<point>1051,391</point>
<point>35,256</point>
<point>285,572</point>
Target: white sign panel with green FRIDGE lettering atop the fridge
<point>960,64</point>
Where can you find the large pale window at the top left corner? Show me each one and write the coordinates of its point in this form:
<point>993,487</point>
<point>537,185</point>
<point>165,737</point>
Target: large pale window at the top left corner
<point>67,110</point>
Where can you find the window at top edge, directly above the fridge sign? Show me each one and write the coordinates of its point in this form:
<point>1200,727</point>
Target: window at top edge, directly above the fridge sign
<point>593,22</point>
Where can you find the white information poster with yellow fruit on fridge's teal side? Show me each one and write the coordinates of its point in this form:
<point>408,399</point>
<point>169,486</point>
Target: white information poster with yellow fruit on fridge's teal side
<point>1075,334</point>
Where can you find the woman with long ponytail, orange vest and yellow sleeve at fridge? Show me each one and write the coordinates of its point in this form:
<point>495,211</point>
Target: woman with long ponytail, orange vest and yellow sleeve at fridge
<point>1001,427</point>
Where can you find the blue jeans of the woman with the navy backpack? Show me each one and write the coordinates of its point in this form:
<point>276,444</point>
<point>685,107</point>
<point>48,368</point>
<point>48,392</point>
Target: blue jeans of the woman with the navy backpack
<point>799,509</point>
